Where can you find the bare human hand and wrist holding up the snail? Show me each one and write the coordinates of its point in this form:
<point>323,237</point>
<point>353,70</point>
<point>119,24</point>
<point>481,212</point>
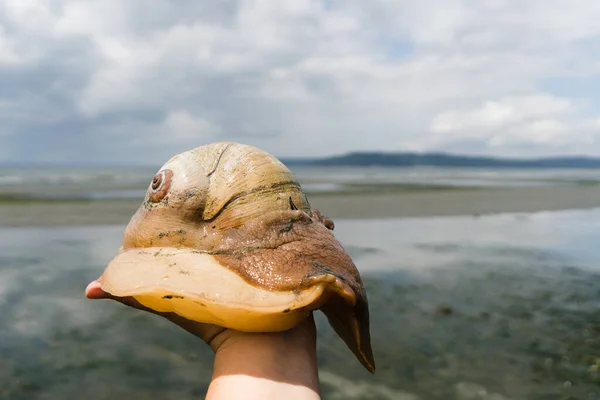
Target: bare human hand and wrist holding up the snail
<point>250,365</point>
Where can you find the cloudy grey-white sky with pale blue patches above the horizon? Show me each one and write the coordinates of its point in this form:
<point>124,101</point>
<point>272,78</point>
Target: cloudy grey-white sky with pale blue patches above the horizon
<point>137,81</point>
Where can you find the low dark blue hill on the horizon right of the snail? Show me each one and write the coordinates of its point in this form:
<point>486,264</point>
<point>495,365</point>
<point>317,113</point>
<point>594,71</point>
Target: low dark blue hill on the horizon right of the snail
<point>443,160</point>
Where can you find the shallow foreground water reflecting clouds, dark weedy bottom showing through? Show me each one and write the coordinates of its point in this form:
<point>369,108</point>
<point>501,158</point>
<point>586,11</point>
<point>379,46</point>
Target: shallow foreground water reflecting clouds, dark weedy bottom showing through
<point>493,307</point>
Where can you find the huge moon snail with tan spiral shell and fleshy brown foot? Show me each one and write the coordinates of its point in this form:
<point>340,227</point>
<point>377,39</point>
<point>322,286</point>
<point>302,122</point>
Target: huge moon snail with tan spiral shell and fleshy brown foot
<point>226,236</point>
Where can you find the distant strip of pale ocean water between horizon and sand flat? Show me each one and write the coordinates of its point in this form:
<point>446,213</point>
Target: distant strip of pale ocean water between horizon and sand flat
<point>131,182</point>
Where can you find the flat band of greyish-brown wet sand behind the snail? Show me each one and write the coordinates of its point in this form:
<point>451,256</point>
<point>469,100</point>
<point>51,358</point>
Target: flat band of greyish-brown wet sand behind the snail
<point>393,204</point>
